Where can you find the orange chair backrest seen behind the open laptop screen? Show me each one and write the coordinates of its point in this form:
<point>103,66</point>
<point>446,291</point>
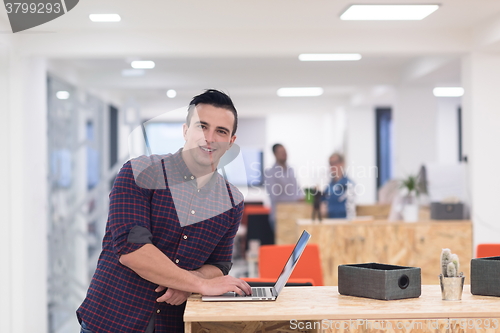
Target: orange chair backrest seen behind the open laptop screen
<point>272,259</point>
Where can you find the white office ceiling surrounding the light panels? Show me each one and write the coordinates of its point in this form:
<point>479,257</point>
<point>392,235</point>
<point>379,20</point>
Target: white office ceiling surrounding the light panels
<point>250,48</point>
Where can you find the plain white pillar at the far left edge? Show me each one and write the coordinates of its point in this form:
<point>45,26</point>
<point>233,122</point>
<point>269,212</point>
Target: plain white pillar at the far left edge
<point>26,146</point>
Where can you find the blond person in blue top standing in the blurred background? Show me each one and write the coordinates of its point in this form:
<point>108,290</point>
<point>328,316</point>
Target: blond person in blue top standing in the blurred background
<point>336,192</point>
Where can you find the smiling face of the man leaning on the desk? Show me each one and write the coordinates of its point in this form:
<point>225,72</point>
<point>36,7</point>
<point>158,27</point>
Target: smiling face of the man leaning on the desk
<point>208,136</point>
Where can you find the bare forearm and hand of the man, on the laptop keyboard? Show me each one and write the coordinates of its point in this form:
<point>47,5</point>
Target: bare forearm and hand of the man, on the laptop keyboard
<point>151,264</point>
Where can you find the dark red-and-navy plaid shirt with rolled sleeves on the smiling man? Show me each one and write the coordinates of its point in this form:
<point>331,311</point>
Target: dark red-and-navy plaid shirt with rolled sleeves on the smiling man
<point>192,227</point>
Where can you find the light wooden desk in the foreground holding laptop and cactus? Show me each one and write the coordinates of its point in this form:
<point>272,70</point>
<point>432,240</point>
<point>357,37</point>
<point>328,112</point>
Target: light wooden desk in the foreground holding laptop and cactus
<point>296,305</point>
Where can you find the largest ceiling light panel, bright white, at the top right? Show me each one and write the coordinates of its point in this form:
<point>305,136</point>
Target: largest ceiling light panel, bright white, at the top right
<point>388,12</point>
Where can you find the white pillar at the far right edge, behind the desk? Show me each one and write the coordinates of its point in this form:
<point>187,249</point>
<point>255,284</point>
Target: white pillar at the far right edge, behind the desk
<point>481,128</point>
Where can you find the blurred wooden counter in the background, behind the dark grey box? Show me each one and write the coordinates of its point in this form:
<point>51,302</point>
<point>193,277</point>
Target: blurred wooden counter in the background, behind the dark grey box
<point>416,244</point>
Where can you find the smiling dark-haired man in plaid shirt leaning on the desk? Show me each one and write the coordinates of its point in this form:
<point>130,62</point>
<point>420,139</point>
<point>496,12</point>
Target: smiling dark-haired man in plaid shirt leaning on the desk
<point>171,224</point>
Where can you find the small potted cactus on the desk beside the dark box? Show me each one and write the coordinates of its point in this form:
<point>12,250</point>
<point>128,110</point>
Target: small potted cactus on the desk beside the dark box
<point>452,282</point>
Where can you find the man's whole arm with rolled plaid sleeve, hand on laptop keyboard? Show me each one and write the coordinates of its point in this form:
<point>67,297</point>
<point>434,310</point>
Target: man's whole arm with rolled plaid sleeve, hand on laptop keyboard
<point>129,227</point>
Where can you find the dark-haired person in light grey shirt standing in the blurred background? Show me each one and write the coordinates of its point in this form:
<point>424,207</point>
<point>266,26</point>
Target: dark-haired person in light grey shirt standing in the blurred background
<point>280,182</point>
